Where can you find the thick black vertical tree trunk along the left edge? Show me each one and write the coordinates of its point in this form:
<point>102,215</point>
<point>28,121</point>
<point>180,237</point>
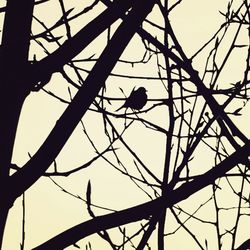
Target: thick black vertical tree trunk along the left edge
<point>13,90</point>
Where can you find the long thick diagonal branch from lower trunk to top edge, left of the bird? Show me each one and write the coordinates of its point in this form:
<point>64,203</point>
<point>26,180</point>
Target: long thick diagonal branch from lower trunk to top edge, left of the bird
<point>39,163</point>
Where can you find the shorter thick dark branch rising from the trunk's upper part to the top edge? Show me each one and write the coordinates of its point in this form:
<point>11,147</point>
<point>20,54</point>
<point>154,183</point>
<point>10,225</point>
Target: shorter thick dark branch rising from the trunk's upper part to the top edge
<point>72,47</point>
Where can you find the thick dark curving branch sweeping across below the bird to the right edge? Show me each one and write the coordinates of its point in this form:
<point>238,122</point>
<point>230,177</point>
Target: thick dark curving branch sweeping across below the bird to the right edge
<point>147,209</point>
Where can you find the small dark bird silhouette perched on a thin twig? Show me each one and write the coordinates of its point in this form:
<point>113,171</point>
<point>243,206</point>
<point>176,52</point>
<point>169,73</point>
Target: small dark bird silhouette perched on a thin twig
<point>136,100</point>
